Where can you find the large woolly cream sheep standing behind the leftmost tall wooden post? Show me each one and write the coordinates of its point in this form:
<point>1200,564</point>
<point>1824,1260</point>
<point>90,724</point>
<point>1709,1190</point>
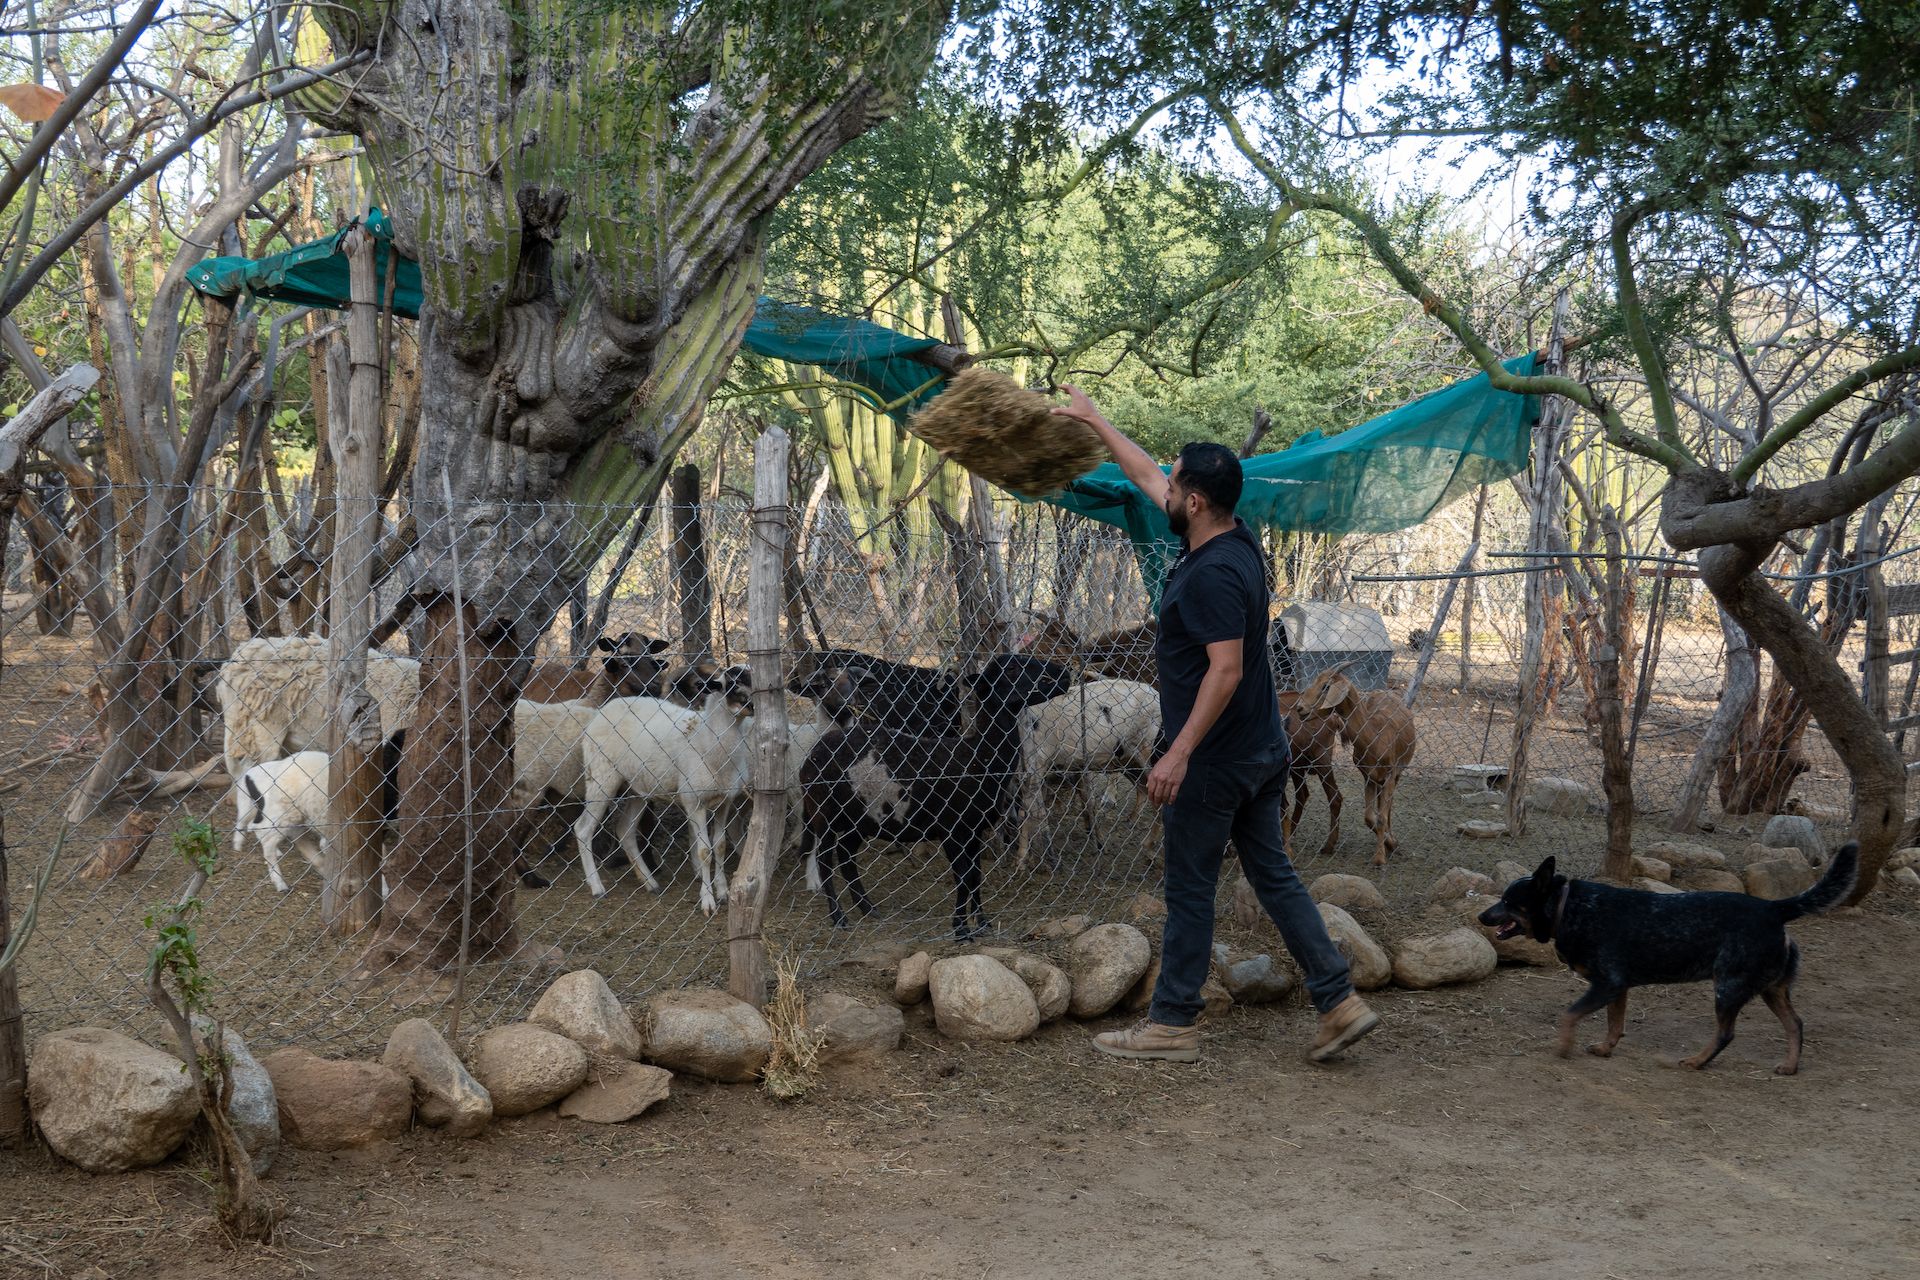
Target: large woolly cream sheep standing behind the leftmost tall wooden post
<point>276,699</point>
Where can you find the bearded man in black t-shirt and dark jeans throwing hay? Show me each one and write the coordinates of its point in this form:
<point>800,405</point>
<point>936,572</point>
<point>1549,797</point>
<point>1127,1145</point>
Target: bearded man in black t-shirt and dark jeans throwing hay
<point>1224,772</point>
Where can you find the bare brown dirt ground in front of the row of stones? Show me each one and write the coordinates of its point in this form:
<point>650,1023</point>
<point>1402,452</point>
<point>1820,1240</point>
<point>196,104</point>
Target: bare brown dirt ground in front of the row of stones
<point>1451,1145</point>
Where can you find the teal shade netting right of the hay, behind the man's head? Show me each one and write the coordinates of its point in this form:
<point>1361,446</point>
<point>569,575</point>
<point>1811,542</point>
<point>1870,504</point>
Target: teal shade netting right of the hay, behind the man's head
<point>1380,477</point>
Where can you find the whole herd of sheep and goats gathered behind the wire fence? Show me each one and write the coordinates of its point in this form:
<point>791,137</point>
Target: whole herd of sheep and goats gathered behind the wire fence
<point>880,749</point>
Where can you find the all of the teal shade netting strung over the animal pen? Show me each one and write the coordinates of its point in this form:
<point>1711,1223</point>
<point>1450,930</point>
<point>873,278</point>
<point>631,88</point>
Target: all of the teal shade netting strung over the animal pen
<point>1385,475</point>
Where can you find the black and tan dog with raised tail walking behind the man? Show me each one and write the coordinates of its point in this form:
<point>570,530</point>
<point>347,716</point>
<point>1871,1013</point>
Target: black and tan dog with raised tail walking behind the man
<point>1620,939</point>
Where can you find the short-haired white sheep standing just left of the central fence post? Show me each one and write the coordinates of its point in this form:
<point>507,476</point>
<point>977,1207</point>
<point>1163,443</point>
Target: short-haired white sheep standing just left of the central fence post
<point>658,751</point>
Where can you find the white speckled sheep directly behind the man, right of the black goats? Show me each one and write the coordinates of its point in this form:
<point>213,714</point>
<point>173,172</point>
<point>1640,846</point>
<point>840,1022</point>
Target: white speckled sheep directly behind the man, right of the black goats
<point>1095,728</point>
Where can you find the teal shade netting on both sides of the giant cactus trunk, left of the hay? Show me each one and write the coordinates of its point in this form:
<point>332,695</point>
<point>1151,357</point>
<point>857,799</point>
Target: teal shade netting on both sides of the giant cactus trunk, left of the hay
<point>875,360</point>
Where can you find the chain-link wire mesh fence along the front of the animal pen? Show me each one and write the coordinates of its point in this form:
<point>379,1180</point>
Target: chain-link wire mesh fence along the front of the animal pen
<point>986,684</point>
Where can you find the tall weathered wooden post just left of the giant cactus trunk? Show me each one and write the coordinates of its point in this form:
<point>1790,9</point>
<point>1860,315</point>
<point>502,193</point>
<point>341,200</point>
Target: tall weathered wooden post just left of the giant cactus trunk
<point>350,901</point>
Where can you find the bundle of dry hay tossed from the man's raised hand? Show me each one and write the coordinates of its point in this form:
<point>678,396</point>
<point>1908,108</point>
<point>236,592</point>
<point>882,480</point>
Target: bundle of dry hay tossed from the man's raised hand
<point>1005,435</point>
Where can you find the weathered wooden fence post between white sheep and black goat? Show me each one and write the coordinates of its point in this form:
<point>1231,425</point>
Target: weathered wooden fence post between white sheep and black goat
<point>767,571</point>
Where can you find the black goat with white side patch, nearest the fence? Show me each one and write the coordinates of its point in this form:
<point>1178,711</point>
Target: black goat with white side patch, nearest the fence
<point>865,782</point>
